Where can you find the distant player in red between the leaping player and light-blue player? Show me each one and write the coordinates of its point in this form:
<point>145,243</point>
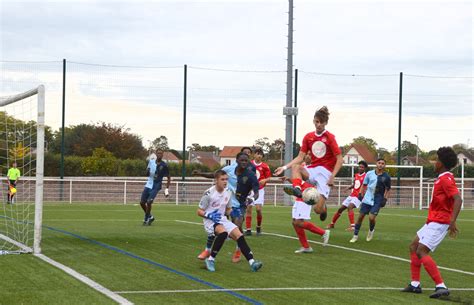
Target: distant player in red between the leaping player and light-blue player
<point>353,200</point>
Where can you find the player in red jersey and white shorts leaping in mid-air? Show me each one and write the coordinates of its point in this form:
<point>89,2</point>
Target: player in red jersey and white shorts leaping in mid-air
<point>326,161</point>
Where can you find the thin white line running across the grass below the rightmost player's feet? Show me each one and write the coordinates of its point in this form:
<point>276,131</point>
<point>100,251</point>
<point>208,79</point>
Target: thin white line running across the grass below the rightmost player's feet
<point>273,289</point>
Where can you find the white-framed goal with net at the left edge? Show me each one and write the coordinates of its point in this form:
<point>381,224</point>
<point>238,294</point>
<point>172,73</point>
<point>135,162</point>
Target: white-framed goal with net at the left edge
<point>21,168</point>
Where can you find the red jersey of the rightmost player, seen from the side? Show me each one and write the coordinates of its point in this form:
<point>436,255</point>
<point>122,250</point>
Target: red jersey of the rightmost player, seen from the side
<point>442,202</point>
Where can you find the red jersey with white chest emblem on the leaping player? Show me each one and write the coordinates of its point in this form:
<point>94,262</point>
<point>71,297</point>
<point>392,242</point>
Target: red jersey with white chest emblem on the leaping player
<point>323,149</point>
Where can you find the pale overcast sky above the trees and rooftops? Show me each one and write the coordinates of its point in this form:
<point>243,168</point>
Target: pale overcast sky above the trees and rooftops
<point>360,38</point>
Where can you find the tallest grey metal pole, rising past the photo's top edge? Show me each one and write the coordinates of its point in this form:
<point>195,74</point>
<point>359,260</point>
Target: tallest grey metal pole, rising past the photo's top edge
<point>289,89</point>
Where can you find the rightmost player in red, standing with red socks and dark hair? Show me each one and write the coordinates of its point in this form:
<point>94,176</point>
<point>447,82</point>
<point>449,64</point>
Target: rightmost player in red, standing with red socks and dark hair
<point>442,214</point>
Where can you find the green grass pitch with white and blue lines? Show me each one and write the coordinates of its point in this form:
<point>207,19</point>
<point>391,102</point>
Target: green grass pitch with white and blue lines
<point>157,264</point>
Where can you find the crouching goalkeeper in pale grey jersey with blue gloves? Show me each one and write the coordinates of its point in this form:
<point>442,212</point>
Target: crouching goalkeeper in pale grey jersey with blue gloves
<point>214,206</point>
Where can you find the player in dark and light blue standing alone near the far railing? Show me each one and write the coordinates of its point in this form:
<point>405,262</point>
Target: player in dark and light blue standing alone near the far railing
<point>157,169</point>
